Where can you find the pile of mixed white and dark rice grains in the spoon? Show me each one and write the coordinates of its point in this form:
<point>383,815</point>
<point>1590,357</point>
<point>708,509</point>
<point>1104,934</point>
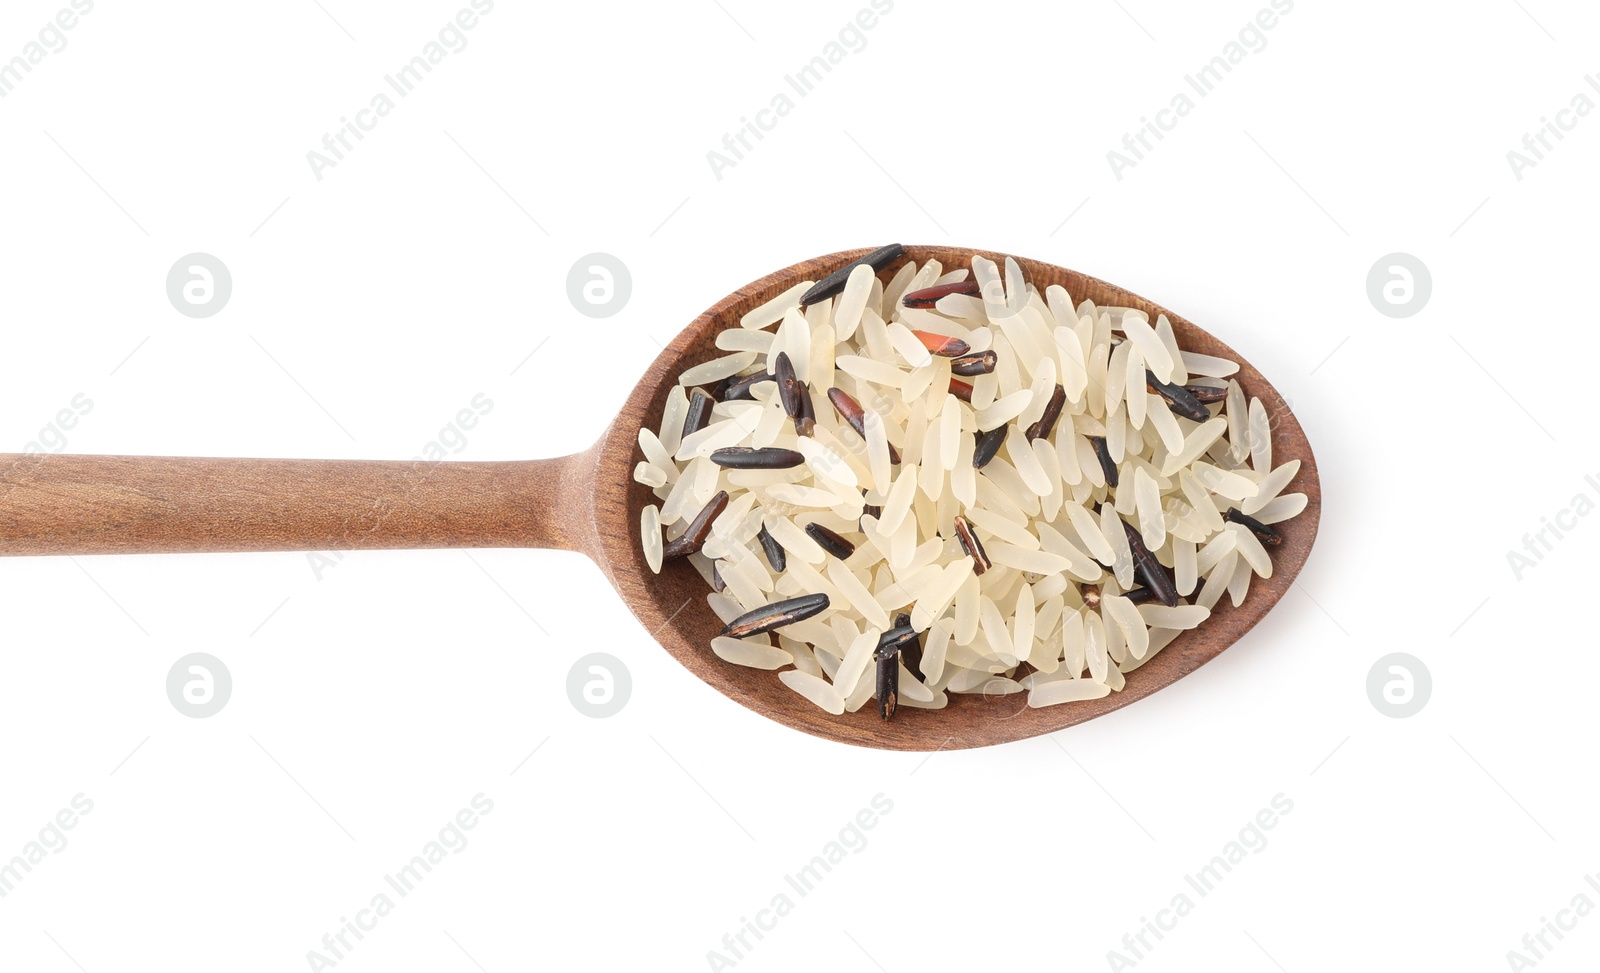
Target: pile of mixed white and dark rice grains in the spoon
<point>1063,612</point>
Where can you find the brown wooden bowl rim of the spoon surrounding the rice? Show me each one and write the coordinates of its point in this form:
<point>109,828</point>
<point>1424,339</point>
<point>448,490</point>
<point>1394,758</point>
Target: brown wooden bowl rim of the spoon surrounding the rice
<point>673,607</point>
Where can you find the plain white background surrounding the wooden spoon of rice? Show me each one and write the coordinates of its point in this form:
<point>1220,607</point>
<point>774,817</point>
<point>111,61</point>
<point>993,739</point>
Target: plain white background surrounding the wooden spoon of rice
<point>370,306</point>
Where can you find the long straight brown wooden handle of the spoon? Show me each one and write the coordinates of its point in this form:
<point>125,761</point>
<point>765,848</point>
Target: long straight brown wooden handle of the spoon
<point>146,505</point>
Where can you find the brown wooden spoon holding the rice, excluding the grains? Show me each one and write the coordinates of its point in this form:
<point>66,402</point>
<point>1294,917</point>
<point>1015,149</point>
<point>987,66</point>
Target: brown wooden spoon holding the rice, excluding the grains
<point>590,503</point>
